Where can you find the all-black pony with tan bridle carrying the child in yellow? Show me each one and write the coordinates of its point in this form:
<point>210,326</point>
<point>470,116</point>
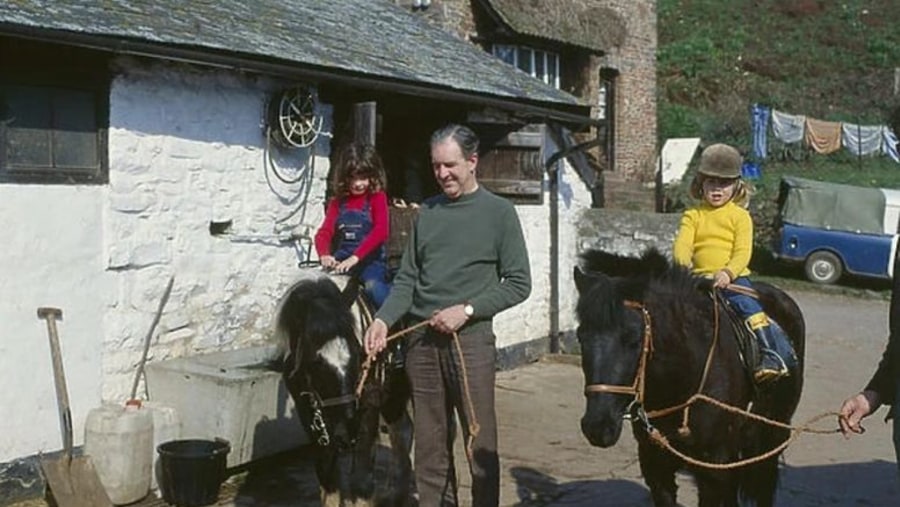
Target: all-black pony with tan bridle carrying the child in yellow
<point>647,331</point>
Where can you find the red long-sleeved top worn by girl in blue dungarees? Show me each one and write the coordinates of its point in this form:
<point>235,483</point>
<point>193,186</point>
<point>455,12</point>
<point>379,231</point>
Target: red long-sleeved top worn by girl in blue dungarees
<point>377,210</point>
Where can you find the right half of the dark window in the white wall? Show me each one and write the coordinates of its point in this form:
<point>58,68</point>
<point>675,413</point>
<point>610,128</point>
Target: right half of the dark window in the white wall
<point>75,139</point>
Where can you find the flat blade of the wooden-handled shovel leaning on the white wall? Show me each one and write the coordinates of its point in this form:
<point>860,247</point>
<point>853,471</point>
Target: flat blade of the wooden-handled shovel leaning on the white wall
<point>74,482</point>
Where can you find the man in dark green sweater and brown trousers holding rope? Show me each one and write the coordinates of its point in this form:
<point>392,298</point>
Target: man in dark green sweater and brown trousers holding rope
<point>465,262</point>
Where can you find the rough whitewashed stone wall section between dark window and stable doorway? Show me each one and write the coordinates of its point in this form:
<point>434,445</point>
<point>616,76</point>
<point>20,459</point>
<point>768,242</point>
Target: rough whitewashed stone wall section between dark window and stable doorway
<point>189,149</point>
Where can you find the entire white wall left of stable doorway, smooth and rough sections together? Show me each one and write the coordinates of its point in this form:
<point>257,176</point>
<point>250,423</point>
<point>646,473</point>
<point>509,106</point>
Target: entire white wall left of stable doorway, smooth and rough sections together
<point>185,148</point>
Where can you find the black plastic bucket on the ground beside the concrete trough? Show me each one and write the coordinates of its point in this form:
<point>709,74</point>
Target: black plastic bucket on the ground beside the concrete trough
<point>191,471</point>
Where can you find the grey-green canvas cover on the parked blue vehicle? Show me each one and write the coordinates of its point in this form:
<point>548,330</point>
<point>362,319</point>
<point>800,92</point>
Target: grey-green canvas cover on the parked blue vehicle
<point>834,206</point>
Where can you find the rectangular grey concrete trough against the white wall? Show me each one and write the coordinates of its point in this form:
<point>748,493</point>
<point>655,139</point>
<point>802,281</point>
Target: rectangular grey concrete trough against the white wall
<point>233,395</point>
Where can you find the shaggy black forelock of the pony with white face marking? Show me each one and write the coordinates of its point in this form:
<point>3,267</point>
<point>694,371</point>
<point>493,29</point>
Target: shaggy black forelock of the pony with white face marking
<point>314,311</point>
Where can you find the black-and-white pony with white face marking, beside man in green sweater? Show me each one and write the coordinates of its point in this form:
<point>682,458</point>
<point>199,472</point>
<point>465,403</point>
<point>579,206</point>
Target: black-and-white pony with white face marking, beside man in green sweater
<point>321,327</point>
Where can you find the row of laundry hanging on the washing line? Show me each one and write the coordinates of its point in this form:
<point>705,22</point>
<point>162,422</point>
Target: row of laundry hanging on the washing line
<point>821,136</point>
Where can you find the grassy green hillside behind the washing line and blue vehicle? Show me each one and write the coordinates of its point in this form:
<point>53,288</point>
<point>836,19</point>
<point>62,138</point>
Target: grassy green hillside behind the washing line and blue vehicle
<point>826,60</point>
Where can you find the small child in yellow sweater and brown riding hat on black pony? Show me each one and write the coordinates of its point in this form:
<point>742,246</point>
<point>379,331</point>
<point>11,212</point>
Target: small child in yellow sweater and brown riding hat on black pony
<point>715,239</point>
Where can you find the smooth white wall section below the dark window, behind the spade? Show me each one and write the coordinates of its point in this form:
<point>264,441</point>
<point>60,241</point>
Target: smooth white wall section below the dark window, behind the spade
<point>53,237</point>
